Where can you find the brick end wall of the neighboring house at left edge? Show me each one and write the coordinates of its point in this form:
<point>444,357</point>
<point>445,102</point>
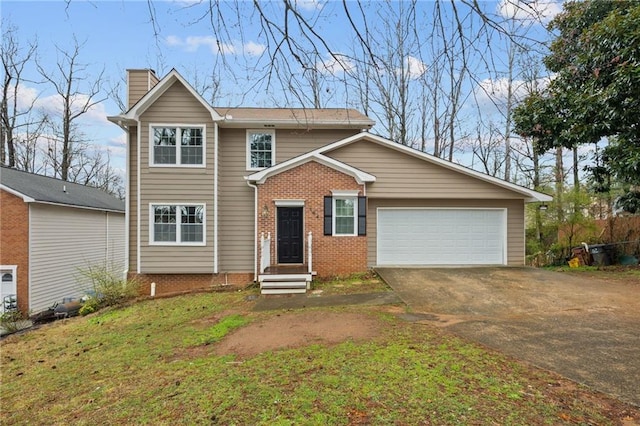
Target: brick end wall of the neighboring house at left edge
<point>14,242</point>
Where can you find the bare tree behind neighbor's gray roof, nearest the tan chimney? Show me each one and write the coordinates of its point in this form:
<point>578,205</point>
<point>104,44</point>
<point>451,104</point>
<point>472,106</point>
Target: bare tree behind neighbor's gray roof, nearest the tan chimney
<point>78,94</point>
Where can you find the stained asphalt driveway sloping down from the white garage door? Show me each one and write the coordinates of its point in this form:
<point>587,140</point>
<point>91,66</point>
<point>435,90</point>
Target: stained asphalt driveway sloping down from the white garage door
<point>585,329</point>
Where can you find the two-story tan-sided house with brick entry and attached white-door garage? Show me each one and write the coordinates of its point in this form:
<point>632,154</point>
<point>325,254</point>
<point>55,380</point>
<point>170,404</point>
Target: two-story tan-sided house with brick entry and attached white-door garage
<point>235,195</point>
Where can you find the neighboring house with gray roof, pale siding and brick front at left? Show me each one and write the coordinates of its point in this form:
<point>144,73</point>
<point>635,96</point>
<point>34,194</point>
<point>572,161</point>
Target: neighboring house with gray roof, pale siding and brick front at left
<point>50,230</point>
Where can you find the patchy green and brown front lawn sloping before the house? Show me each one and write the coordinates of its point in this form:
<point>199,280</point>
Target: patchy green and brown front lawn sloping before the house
<point>155,362</point>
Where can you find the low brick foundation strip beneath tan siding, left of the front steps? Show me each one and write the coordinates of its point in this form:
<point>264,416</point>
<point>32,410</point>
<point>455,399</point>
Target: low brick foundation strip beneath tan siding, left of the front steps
<point>183,283</point>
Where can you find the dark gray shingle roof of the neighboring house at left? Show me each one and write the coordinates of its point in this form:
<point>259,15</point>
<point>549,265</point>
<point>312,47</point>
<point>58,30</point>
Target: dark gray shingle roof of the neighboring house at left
<point>34,188</point>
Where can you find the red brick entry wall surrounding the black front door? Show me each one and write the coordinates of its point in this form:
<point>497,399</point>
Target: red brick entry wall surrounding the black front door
<point>311,182</point>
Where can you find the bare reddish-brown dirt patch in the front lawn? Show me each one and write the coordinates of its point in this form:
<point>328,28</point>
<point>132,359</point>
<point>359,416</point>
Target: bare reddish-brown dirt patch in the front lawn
<point>295,329</point>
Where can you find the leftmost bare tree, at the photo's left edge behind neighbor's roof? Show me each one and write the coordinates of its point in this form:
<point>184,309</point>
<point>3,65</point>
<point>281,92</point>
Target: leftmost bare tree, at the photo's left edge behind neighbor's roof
<point>13,116</point>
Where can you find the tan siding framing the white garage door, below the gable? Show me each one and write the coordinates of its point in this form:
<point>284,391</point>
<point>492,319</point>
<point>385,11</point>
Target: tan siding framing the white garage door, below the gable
<point>515,221</point>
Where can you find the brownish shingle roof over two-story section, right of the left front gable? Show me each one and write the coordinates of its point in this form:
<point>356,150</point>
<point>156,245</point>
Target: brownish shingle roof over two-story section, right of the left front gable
<point>294,117</point>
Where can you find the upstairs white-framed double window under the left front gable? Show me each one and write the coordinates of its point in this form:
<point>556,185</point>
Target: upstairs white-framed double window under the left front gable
<point>178,146</point>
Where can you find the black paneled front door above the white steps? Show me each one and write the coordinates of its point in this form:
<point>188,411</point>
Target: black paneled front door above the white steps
<point>290,237</point>
